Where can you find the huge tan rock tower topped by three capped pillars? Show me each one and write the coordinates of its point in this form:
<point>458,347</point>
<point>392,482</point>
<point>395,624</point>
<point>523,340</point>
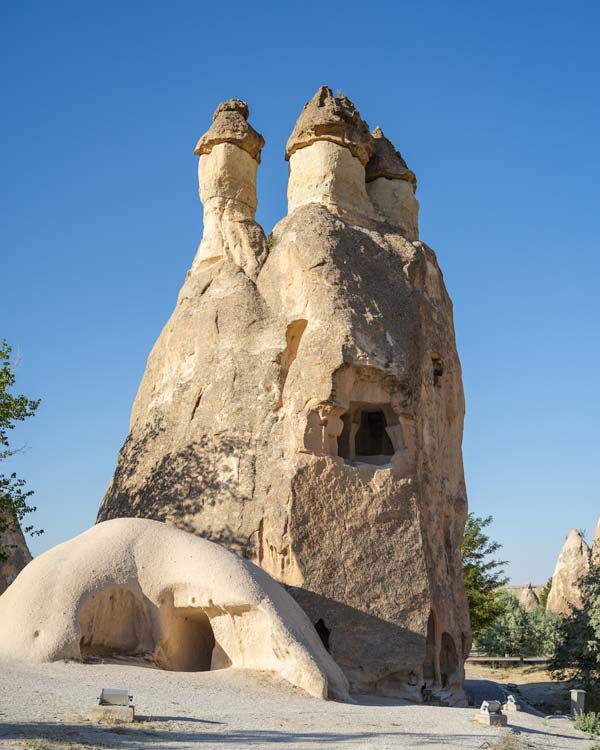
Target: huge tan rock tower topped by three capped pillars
<point>304,406</point>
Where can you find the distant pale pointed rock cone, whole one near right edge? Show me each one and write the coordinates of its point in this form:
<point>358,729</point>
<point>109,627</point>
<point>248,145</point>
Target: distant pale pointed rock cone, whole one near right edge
<point>572,565</point>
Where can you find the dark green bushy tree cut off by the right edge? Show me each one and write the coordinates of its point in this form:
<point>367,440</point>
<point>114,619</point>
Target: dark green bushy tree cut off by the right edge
<point>577,656</point>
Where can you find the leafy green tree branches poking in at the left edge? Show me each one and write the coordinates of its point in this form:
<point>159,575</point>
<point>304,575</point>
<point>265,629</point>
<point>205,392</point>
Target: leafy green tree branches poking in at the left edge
<point>13,497</point>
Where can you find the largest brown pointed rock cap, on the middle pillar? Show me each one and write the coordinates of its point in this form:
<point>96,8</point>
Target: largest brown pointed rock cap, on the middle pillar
<point>331,118</point>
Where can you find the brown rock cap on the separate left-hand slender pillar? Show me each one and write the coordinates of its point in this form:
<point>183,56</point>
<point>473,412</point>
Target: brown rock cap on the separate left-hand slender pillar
<point>230,125</point>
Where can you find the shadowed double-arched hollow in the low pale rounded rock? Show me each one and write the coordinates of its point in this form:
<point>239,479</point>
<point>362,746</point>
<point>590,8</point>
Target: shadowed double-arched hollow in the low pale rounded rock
<point>118,622</point>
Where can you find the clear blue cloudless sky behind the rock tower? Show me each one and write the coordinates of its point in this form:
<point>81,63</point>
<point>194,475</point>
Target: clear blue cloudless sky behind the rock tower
<point>495,106</point>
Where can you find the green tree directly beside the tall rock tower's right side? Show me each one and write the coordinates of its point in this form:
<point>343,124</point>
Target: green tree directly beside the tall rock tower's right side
<point>483,574</point>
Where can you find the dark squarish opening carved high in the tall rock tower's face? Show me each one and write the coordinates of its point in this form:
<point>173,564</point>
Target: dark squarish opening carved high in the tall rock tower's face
<point>370,433</point>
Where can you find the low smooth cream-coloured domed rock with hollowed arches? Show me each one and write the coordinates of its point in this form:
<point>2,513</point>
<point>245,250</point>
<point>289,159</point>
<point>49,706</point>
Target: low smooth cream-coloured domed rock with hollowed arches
<point>138,587</point>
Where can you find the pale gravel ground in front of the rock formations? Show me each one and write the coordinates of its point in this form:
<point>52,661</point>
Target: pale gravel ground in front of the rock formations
<point>44,706</point>
